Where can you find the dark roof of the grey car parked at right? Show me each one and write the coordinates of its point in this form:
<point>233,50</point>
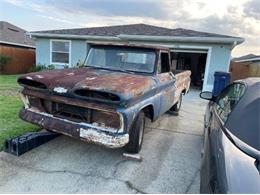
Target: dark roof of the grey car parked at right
<point>244,120</point>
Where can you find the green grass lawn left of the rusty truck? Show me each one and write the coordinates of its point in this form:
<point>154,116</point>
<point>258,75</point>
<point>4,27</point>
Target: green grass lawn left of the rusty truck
<point>10,124</point>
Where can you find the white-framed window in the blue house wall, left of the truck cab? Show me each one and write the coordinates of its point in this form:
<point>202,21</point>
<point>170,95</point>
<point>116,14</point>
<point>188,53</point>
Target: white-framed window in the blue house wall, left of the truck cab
<point>60,52</point>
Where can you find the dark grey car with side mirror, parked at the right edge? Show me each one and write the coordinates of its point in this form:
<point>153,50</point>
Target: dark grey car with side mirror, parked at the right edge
<point>231,149</point>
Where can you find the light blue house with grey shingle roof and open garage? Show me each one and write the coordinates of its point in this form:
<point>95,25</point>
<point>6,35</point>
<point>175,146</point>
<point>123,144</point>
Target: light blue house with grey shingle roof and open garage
<point>202,53</point>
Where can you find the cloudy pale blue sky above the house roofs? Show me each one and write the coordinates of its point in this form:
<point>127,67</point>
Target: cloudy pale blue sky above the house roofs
<point>231,17</point>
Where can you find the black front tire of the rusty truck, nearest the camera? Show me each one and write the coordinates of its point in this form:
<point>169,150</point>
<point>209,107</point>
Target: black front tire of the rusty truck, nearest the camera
<point>136,134</point>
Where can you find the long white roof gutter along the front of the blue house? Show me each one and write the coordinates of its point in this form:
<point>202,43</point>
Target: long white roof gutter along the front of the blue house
<point>122,37</point>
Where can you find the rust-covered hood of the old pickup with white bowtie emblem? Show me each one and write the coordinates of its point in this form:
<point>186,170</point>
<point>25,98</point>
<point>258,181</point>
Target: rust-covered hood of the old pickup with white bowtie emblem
<point>124,85</point>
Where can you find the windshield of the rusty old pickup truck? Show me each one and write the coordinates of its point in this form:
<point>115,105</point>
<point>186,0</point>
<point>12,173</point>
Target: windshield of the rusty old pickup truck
<point>122,58</point>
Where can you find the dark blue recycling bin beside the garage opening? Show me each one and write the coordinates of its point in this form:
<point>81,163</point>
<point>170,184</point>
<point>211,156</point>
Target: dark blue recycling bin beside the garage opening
<point>221,80</point>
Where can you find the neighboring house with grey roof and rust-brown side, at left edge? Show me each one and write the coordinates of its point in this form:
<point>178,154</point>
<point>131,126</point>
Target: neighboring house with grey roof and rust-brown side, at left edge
<point>18,47</point>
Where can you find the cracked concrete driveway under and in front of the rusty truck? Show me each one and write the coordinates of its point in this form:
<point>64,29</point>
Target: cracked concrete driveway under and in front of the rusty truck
<point>171,161</point>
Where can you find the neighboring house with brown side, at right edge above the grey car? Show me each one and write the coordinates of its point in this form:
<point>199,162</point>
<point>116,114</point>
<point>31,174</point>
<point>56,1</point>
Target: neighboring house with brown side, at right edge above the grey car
<point>245,66</point>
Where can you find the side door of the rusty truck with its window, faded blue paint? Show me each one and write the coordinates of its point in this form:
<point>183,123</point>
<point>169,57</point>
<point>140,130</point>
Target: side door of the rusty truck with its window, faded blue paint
<point>166,82</point>
